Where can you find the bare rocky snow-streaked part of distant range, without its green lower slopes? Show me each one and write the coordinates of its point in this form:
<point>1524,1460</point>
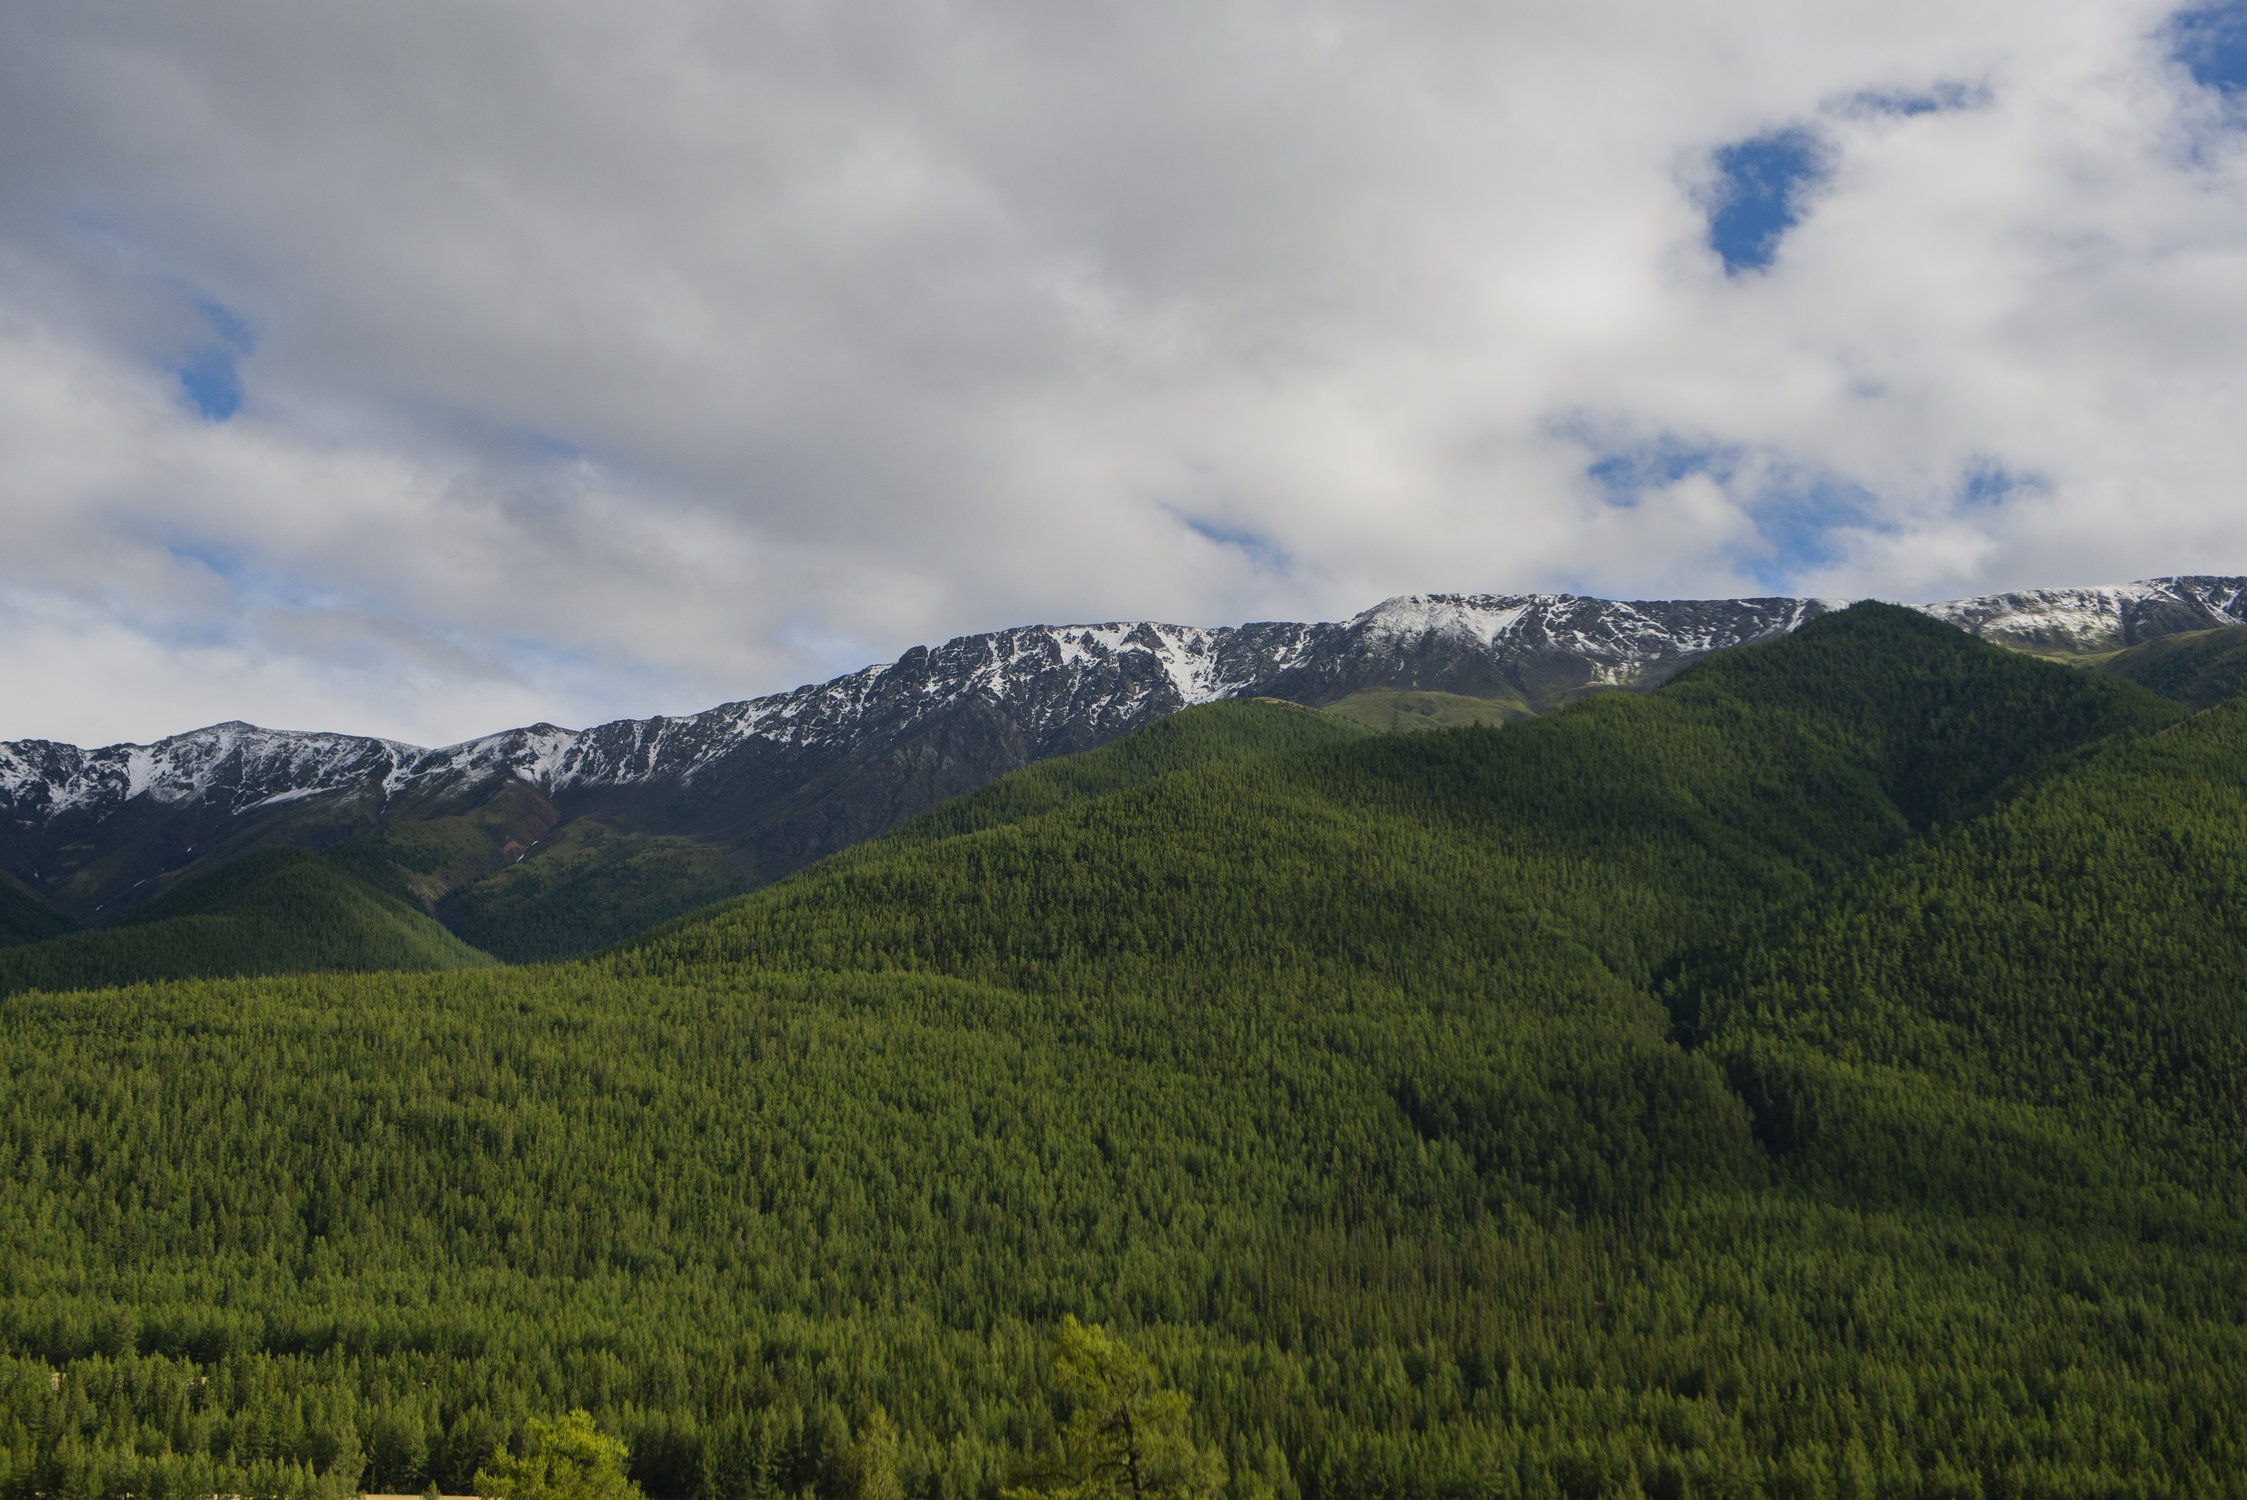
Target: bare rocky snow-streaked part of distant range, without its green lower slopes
<point>788,778</point>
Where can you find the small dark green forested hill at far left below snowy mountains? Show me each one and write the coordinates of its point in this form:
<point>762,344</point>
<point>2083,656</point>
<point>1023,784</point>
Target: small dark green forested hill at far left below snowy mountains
<point>269,913</point>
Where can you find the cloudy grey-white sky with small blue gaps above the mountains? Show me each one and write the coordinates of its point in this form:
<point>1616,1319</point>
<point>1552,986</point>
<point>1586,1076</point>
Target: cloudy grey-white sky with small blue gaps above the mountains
<point>428,369</point>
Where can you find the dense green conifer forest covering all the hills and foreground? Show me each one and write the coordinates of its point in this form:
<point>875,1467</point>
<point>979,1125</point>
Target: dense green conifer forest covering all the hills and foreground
<point>1819,1077</point>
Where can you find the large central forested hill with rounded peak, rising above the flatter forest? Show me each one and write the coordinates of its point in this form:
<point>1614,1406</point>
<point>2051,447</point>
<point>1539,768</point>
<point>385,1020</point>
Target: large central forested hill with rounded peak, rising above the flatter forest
<point>1626,830</point>
